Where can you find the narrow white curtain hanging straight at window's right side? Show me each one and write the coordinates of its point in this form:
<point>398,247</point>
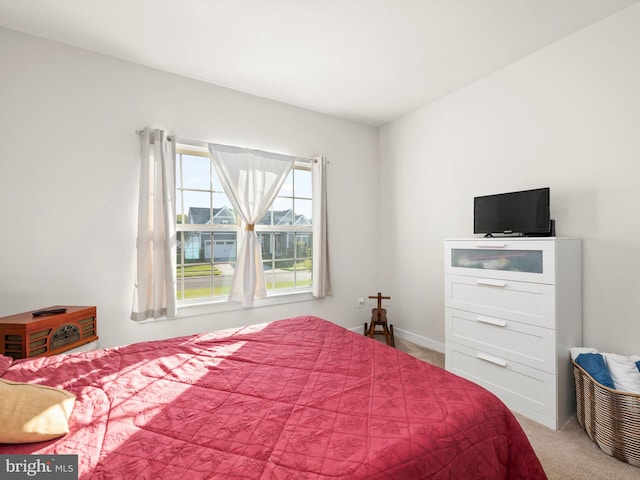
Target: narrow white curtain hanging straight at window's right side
<point>322,285</point>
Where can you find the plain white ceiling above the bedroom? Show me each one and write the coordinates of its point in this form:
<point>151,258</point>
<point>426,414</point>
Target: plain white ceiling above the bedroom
<point>365,60</point>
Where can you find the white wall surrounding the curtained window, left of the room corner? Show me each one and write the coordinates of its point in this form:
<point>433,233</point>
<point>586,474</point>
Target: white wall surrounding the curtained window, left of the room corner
<point>69,162</point>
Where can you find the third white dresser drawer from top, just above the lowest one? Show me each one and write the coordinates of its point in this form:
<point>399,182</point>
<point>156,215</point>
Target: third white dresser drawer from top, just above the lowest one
<point>508,339</point>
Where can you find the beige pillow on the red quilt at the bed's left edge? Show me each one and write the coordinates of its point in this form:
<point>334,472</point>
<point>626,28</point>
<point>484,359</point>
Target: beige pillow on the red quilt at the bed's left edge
<point>33,413</point>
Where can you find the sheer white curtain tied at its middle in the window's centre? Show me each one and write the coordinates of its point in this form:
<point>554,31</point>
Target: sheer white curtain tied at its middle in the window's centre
<point>251,179</point>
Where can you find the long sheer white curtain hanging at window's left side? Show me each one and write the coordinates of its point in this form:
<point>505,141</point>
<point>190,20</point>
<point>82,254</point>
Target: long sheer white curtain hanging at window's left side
<point>155,285</point>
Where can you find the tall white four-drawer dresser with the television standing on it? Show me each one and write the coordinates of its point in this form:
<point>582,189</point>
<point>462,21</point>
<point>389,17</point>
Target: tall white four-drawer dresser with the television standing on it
<point>513,308</point>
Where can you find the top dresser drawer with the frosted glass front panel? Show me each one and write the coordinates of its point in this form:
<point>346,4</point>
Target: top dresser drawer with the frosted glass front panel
<point>508,258</point>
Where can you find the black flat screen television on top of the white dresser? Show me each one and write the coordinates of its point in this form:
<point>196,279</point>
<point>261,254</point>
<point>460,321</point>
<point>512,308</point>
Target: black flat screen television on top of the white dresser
<point>515,213</point>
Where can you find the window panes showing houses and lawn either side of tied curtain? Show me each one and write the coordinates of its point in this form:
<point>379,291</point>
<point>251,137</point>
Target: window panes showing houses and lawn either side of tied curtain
<point>208,234</point>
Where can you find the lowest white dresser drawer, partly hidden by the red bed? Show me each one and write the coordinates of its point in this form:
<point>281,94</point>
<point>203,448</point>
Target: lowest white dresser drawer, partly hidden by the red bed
<point>523,389</point>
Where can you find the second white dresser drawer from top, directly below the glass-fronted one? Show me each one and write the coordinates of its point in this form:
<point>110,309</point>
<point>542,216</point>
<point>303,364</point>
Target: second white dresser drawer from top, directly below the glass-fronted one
<point>531,303</point>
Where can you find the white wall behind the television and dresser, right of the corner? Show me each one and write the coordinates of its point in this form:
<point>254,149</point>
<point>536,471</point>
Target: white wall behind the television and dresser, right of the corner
<point>567,117</point>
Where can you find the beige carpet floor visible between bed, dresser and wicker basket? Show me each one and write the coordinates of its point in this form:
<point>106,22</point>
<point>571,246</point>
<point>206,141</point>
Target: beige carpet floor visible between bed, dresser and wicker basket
<point>566,454</point>
